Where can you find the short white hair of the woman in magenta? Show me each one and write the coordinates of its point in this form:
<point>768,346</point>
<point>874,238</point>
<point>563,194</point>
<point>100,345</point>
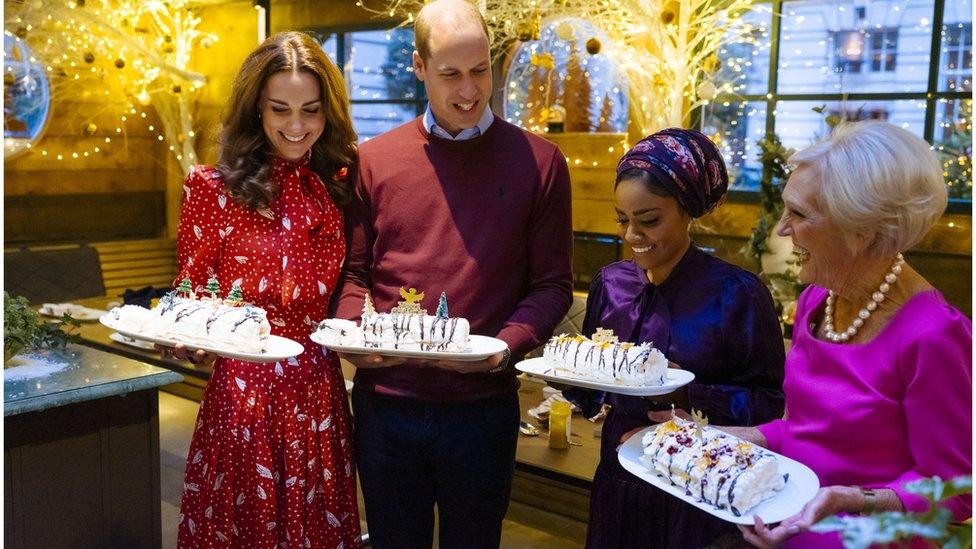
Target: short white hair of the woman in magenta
<point>877,178</point>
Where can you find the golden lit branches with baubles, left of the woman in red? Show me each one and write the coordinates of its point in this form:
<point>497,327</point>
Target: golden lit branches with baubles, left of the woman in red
<point>115,58</point>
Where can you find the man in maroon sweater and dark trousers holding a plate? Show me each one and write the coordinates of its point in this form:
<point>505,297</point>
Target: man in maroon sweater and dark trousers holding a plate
<point>462,202</point>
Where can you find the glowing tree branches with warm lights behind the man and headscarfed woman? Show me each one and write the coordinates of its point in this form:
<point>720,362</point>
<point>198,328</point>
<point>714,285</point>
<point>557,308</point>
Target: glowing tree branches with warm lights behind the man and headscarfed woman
<point>667,48</point>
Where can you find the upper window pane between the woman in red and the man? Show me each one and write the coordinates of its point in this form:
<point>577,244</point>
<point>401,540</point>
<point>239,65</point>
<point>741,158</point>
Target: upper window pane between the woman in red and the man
<point>379,64</point>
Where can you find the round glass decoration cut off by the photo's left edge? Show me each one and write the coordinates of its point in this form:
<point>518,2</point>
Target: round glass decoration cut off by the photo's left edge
<point>26,97</point>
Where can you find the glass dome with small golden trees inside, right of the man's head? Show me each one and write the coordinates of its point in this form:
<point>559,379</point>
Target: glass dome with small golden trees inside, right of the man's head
<point>566,76</point>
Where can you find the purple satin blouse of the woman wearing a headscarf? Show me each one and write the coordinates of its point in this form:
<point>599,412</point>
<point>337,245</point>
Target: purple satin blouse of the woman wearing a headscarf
<point>709,317</point>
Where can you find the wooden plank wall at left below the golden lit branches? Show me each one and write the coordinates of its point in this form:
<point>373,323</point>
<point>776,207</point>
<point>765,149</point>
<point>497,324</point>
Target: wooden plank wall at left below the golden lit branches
<point>115,193</point>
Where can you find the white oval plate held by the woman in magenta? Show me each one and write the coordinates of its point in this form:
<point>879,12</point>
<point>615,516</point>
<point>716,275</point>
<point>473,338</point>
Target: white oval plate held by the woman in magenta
<point>800,488</point>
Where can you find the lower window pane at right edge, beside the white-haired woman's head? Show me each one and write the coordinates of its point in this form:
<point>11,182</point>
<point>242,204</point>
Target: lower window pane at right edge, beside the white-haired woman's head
<point>953,141</point>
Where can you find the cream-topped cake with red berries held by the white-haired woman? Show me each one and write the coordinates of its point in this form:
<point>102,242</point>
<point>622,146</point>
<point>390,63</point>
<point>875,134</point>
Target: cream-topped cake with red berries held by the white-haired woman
<point>712,466</point>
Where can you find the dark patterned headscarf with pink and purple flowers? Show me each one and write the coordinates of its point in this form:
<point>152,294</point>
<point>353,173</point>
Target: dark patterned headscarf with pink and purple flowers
<point>686,163</point>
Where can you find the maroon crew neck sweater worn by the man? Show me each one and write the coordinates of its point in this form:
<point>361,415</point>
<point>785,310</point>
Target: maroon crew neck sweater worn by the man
<point>485,220</point>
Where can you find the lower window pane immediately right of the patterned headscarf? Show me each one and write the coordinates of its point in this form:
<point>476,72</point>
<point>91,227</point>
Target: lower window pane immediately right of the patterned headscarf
<point>737,128</point>
